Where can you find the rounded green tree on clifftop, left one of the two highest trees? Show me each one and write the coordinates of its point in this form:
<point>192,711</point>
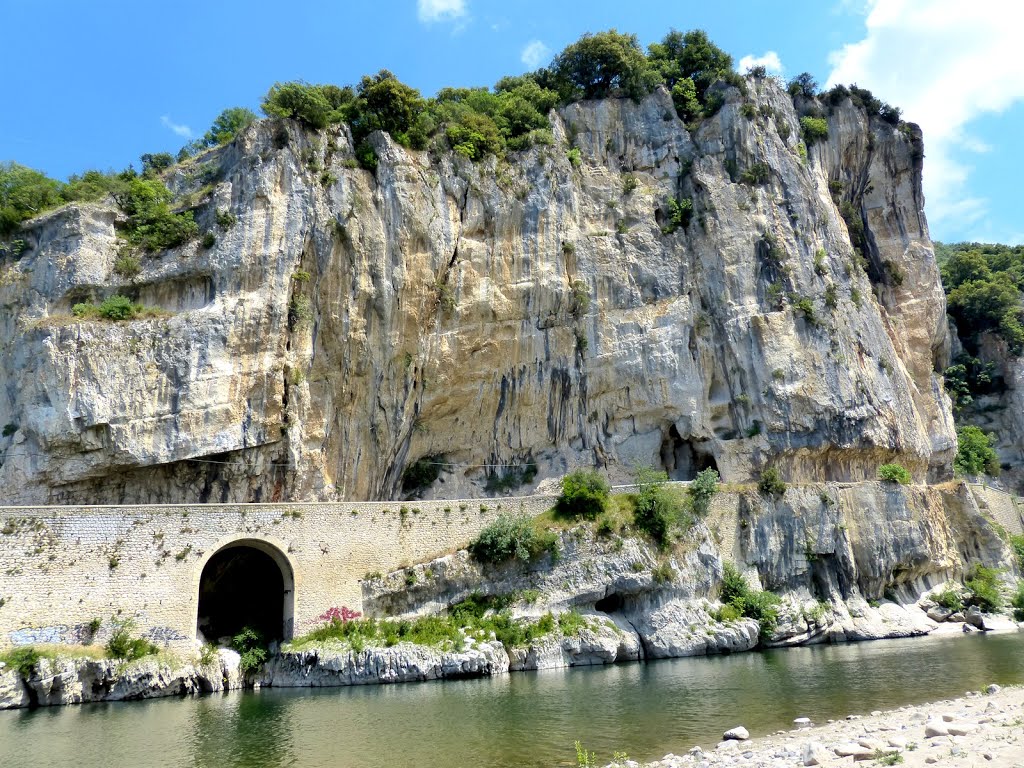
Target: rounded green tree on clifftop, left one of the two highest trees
<point>604,65</point>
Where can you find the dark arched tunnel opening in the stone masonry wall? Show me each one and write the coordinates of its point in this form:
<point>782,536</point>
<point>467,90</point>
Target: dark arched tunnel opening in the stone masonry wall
<point>247,584</point>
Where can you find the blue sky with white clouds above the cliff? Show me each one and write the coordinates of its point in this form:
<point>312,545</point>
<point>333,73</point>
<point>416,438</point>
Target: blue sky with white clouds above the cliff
<point>95,86</point>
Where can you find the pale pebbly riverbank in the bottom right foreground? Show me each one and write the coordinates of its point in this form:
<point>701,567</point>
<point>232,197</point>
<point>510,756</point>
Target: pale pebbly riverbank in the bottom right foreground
<point>976,730</point>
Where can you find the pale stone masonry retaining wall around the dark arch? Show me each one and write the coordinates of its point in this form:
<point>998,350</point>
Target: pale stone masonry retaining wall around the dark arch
<point>63,567</point>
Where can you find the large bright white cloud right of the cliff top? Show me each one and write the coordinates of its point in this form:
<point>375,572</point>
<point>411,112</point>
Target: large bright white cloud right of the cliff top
<point>946,63</point>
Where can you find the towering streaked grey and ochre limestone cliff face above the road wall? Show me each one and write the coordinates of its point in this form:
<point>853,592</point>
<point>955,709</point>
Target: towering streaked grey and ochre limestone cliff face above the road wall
<point>505,314</point>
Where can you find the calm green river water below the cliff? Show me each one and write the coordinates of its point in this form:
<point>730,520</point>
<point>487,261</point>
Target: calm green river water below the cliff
<point>522,720</point>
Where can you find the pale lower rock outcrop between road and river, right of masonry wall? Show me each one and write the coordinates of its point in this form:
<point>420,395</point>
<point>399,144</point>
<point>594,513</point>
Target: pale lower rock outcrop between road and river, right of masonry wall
<point>850,563</point>
